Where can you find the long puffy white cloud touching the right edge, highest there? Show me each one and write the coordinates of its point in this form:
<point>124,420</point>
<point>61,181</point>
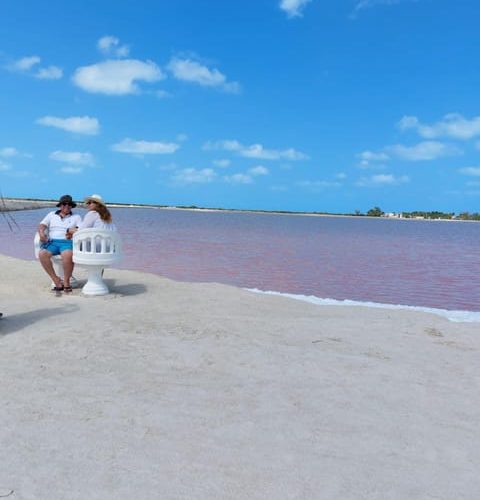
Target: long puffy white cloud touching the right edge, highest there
<point>452,125</point>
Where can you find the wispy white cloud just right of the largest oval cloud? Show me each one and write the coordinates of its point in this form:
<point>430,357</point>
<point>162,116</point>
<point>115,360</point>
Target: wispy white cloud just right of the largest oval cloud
<point>194,72</point>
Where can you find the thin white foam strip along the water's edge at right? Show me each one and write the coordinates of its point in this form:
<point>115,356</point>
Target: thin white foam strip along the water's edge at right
<point>456,316</point>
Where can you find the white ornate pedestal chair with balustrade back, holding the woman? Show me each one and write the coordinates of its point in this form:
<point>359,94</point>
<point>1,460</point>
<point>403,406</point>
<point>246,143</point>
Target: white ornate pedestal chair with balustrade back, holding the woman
<point>96,249</point>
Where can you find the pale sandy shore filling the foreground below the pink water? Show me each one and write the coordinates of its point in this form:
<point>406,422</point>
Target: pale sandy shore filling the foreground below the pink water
<point>167,390</point>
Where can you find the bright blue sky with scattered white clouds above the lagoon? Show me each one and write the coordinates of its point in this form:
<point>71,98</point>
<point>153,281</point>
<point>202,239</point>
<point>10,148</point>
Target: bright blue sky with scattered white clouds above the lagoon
<point>303,105</point>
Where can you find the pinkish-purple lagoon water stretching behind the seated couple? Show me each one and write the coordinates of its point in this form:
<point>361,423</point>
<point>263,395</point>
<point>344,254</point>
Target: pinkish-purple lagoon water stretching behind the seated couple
<point>409,262</point>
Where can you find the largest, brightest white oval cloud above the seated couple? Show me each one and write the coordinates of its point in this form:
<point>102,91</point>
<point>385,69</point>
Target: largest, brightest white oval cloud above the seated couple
<point>116,77</point>
